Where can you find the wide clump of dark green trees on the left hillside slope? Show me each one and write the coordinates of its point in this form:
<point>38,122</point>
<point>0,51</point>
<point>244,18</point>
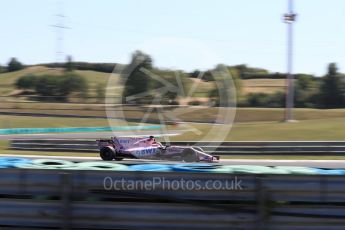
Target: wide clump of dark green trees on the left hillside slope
<point>55,87</point>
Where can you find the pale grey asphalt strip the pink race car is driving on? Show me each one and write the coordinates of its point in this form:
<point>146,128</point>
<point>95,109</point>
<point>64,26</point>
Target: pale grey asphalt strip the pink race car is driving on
<point>306,163</point>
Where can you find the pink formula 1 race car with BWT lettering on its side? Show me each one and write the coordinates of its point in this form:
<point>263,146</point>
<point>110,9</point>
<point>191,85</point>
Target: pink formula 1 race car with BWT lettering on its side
<point>119,148</point>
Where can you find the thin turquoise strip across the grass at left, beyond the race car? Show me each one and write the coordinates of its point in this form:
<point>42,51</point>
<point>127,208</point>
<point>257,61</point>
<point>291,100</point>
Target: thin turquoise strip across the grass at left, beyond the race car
<point>76,129</point>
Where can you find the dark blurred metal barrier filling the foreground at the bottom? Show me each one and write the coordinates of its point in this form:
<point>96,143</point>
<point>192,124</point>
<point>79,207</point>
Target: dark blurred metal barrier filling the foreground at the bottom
<point>85,200</point>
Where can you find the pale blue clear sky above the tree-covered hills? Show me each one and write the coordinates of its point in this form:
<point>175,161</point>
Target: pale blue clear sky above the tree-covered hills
<point>177,34</point>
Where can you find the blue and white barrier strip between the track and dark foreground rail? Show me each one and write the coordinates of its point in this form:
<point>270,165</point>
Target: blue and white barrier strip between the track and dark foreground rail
<point>8,162</point>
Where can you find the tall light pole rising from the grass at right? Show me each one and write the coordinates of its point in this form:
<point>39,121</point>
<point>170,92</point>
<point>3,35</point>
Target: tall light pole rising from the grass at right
<point>289,18</point>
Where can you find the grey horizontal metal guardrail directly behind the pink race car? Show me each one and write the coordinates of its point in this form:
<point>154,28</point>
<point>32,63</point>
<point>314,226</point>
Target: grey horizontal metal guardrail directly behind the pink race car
<point>223,148</point>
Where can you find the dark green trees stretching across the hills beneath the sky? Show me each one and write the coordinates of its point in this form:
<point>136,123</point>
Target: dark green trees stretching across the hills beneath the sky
<point>310,91</point>
